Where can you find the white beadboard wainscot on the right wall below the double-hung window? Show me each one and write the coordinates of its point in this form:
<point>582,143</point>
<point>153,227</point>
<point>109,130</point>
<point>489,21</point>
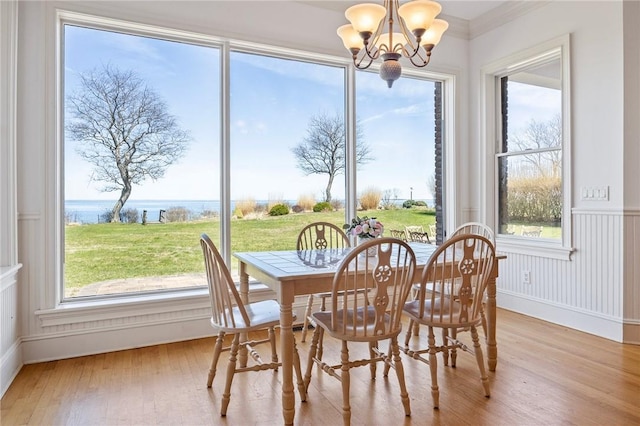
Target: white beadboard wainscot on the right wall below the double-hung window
<point>587,292</point>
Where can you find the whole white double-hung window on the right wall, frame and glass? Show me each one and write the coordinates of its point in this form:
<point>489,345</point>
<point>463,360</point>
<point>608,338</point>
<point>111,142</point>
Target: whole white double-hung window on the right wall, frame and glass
<point>532,199</point>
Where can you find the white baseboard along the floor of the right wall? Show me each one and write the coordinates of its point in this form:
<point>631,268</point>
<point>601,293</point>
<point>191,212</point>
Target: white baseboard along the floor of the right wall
<point>586,321</point>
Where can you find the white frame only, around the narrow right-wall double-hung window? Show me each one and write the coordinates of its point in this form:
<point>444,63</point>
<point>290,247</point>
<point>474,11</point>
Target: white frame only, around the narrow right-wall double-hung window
<point>490,139</point>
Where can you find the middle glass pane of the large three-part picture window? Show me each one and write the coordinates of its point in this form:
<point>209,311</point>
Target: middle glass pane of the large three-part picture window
<point>287,147</point>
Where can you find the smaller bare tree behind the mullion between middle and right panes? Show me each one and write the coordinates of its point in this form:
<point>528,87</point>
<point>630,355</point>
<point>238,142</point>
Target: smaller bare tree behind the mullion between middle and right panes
<point>323,149</point>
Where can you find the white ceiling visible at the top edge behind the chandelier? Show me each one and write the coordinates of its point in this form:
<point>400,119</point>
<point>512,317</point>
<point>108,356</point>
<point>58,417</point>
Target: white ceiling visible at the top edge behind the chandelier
<point>463,9</point>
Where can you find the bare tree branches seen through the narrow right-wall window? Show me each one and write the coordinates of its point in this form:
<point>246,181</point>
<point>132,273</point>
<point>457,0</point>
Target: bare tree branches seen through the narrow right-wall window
<point>540,135</point>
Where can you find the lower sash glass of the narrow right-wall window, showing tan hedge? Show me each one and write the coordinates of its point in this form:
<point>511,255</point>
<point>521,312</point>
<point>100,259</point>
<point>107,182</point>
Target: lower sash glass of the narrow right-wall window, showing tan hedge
<point>532,194</point>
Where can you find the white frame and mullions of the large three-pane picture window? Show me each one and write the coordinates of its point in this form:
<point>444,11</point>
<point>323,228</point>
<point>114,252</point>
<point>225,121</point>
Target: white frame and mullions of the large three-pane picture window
<point>111,302</point>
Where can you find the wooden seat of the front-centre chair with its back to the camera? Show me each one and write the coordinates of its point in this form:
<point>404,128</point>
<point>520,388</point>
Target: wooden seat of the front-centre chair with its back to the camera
<point>351,329</point>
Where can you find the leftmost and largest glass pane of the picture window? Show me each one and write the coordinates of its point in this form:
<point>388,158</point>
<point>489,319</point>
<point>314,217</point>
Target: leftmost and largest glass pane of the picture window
<point>141,128</point>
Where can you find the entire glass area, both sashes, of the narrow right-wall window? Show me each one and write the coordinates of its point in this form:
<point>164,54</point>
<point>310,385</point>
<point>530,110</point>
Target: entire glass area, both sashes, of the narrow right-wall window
<point>530,169</point>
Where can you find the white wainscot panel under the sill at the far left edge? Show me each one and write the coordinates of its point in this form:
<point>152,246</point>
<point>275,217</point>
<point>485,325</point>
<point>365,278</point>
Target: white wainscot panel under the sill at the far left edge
<point>11,361</point>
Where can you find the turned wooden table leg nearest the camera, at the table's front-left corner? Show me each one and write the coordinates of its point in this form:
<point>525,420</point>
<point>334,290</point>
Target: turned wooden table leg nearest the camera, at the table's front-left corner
<point>286,352</point>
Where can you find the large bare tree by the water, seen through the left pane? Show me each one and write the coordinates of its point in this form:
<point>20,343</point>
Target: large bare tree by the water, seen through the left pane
<point>124,129</point>
